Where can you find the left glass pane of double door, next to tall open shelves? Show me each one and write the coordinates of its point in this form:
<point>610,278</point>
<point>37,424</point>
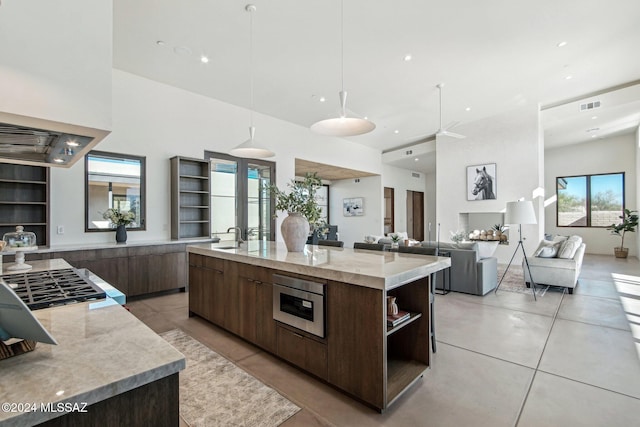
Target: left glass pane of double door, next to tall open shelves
<point>224,212</point>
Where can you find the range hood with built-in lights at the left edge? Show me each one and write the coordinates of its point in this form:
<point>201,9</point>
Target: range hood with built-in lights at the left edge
<point>39,142</point>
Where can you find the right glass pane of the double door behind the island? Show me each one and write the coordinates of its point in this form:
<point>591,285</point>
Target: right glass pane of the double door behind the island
<point>258,202</point>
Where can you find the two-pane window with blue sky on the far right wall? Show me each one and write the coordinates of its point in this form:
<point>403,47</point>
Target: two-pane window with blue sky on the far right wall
<point>589,200</point>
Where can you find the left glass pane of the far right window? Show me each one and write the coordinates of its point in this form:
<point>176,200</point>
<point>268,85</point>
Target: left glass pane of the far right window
<point>572,201</point>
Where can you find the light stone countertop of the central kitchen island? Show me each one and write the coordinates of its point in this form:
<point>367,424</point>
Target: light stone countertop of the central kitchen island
<point>373,269</point>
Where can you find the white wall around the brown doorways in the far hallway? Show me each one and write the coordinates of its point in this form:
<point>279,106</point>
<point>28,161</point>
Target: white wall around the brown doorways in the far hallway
<point>402,180</point>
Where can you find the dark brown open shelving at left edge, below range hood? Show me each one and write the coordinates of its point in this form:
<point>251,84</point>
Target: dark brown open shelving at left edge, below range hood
<point>24,200</point>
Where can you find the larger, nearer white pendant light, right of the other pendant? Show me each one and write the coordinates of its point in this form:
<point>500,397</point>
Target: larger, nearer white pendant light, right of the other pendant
<point>343,125</point>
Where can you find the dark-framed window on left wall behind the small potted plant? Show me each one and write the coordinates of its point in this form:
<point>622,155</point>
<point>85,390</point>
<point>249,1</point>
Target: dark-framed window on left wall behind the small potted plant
<point>114,181</point>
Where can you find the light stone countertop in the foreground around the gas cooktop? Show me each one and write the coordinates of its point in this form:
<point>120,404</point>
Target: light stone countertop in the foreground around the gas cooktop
<point>101,352</point>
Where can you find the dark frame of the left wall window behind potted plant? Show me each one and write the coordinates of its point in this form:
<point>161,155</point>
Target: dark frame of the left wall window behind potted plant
<point>143,186</point>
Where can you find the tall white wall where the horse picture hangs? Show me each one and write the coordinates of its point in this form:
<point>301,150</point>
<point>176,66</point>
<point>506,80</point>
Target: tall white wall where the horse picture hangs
<point>510,140</point>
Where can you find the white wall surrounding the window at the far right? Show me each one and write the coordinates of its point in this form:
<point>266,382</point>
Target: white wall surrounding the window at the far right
<point>616,154</point>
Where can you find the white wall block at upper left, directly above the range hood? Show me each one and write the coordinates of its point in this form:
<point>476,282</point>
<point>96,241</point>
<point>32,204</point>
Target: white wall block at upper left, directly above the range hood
<point>55,66</point>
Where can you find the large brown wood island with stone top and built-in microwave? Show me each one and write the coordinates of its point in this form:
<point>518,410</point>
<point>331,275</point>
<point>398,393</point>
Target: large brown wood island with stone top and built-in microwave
<point>236,288</point>
